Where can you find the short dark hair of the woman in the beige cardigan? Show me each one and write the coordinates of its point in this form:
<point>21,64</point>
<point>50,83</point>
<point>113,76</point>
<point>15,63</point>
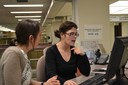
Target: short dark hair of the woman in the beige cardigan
<point>26,28</point>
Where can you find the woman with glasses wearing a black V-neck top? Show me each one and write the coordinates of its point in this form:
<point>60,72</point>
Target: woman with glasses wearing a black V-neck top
<point>63,58</point>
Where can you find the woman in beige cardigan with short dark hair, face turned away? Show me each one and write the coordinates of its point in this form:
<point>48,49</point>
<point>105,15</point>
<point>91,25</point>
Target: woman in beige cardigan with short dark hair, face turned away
<point>15,67</point>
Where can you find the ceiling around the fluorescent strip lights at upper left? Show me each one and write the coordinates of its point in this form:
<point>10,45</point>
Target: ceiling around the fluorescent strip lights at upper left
<point>49,11</point>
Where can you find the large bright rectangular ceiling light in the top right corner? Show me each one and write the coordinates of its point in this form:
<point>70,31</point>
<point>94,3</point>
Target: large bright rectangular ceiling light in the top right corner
<point>119,7</point>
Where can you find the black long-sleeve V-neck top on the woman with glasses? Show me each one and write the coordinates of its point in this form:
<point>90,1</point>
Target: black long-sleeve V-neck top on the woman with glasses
<point>56,65</point>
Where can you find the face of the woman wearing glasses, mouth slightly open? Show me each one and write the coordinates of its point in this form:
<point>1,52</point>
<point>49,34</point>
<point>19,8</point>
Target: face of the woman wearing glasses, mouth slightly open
<point>70,36</point>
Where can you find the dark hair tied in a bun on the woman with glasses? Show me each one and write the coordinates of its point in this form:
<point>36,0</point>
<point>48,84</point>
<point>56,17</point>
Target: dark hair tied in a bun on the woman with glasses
<point>64,27</point>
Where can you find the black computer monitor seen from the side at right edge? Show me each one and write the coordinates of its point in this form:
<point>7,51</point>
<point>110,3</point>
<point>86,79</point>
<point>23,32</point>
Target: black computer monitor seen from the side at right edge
<point>116,56</point>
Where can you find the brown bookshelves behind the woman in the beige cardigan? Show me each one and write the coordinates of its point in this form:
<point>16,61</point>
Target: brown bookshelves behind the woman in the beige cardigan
<point>33,56</point>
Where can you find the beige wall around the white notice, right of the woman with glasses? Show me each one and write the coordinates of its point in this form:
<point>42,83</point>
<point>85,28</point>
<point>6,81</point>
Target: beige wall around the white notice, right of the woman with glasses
<point>93,12</point>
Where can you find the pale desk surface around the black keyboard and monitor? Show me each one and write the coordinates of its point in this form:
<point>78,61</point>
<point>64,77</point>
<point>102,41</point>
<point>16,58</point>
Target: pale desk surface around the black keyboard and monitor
<point>82,78</point>
